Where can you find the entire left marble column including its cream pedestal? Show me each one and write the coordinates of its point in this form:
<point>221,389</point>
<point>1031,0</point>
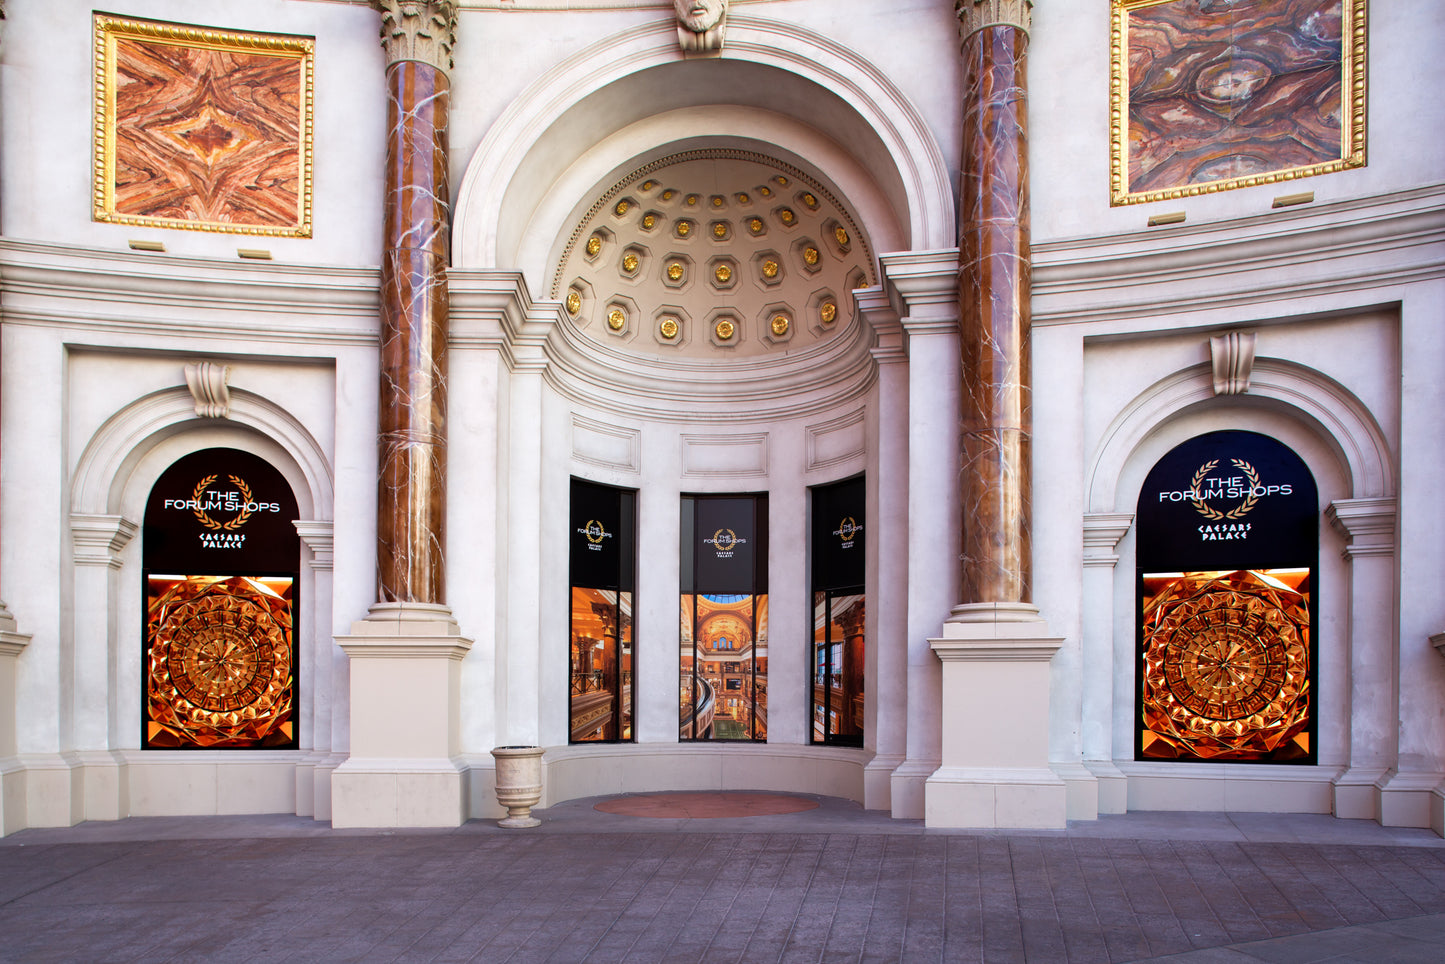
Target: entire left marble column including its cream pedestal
<point>405,768</point>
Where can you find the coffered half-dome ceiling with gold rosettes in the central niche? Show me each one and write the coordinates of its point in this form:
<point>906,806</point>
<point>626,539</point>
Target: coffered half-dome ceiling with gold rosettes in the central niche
<point>712,255</point>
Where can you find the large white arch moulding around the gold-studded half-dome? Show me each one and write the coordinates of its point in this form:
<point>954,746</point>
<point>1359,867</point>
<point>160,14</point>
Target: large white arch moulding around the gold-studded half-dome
<point>814,85</point>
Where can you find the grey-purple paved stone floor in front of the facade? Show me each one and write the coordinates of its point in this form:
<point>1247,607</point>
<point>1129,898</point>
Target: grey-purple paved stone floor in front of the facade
<point>827,885</point>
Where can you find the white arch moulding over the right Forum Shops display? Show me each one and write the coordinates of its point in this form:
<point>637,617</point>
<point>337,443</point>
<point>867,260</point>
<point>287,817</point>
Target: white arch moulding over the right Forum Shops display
<point>1330,413</point>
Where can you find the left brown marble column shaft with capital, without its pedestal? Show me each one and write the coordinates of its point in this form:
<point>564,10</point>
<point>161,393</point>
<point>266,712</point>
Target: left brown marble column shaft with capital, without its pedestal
<point>413,423</point>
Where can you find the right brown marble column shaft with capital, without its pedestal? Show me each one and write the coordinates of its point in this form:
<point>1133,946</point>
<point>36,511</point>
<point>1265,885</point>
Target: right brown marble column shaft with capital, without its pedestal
<point>993,304</point>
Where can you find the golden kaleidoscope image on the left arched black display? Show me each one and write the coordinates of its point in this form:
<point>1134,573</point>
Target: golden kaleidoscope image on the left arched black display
<point>219,663</point>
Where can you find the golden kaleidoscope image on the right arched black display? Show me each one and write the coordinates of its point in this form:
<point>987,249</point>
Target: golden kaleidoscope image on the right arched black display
<point>1226,666</point>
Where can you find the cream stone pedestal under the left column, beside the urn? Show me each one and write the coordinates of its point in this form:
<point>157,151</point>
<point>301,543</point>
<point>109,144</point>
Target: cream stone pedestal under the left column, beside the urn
<point>405,722</point>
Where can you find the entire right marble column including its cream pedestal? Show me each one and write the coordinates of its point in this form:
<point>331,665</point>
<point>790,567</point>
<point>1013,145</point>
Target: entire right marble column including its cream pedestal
<point>995,648</point>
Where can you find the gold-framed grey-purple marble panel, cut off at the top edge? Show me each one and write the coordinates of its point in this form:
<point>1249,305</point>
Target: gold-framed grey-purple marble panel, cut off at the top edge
<point>1217,95</point>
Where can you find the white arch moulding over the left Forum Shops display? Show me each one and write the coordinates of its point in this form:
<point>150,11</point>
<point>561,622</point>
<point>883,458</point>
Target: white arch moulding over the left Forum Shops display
<point>105,481</point>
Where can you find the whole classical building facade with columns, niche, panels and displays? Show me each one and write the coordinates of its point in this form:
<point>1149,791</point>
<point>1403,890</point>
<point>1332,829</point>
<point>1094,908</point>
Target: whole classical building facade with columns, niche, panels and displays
<point>995,413</point>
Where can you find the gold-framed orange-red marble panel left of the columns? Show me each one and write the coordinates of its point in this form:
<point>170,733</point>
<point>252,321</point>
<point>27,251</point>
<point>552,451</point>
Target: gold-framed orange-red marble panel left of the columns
<point>203,129</point>
